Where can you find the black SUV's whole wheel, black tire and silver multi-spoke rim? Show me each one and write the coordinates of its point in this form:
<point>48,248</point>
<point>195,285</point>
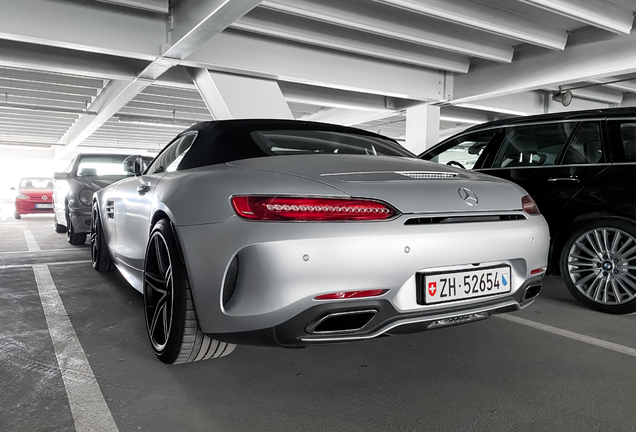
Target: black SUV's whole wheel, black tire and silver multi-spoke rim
<point>598,264</point>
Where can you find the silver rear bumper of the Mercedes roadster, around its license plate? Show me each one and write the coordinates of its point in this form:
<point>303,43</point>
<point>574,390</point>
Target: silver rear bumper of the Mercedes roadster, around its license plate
<point>282,267</point>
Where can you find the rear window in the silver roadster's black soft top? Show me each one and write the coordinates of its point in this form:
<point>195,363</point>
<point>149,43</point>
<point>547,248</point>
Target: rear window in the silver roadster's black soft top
<point>293,142</point>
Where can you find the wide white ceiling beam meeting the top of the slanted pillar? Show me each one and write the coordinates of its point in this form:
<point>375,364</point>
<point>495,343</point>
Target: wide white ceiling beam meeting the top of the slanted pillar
<point>244,53</point>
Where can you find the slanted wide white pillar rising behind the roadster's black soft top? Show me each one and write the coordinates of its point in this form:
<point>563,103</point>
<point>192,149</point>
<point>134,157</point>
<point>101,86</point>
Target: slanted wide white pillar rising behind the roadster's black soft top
<point>234,97</point>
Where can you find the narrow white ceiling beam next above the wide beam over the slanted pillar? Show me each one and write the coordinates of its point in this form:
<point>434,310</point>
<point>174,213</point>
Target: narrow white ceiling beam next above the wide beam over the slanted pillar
<point>299,29</point>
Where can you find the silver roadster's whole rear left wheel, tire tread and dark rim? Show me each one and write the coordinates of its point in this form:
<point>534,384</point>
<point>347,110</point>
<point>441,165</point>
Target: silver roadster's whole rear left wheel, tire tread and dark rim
<point>171,320</point>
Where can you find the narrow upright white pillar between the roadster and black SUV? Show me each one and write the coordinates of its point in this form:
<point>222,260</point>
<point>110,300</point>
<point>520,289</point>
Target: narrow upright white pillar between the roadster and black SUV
<point>422,127</point>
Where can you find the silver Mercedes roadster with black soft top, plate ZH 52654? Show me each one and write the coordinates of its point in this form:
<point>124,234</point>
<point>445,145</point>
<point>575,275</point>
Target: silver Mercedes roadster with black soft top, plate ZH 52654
<point>291,233</point>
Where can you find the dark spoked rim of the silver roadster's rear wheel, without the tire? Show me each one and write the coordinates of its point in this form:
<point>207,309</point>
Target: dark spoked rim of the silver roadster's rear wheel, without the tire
<point>158,292</point>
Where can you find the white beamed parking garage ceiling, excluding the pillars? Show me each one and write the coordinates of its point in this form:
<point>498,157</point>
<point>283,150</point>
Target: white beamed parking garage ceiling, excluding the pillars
<point>95,74</point>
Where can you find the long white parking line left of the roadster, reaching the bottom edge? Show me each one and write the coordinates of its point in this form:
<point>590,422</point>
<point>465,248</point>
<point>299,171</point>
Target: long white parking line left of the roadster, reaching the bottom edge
<point>89,409</point>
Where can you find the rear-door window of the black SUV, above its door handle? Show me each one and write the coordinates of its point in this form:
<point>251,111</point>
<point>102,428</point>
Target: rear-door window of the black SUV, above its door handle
<point>535,145</point>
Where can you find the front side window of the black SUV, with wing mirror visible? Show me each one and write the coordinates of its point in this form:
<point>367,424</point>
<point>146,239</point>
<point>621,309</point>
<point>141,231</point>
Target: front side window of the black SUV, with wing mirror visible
<point>464,150</point>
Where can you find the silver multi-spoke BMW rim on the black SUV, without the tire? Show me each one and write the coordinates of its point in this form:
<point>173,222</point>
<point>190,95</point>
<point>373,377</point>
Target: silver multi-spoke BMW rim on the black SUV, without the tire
<point>602,265</point>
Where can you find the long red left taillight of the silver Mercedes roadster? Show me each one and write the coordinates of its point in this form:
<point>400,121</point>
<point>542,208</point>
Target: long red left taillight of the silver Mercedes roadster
<point>310,209</point>
